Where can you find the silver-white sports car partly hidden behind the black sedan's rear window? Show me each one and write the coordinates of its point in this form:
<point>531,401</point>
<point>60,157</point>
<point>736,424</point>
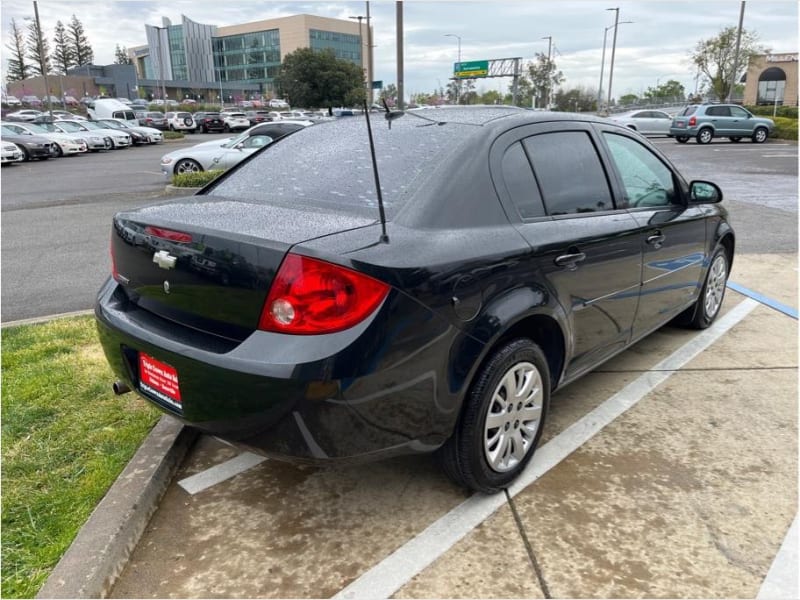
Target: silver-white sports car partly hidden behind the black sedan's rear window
<point>224,154</point>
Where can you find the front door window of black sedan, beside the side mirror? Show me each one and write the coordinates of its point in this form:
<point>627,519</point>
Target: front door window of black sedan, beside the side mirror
<point>647,181</point>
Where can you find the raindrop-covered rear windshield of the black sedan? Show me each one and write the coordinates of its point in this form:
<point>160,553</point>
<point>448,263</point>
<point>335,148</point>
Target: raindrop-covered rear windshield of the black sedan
<point>328,165</point>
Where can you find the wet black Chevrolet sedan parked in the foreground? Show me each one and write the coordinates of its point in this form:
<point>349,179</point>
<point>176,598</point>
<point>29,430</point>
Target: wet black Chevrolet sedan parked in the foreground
<point>291,309</point>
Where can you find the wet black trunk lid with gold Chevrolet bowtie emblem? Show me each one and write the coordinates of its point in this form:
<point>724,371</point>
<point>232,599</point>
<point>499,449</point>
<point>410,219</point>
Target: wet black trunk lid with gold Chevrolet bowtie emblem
<point>209,265</point>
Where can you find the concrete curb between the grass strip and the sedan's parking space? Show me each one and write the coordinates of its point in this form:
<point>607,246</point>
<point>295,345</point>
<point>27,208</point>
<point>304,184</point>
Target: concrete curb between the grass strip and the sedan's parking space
<point>103,546</point>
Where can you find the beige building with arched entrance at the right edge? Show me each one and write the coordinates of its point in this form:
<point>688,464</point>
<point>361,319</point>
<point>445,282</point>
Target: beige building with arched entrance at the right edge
<point>772,77</point>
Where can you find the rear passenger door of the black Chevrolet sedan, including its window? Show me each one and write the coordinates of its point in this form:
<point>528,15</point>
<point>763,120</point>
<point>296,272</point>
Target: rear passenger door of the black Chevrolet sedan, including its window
<point>585,248</point>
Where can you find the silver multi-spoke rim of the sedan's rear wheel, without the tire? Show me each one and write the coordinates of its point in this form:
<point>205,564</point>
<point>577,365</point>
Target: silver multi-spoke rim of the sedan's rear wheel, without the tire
<point>513,417</point>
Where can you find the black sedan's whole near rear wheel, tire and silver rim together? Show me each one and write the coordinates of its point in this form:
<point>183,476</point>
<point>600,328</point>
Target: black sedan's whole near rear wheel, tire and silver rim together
<point>484,458</point>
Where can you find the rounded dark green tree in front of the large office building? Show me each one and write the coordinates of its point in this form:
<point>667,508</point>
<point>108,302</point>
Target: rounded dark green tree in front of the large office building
<point>319,79</point>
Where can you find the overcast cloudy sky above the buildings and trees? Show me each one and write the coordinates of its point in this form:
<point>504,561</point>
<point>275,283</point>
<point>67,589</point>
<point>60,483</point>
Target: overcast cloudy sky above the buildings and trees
<point>653,48</point>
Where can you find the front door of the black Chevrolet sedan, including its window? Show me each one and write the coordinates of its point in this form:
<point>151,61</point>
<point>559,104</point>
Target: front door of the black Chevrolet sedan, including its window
<point>671,232</point>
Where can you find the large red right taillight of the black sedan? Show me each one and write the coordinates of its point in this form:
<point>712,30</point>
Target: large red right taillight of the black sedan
<point>309,296</point>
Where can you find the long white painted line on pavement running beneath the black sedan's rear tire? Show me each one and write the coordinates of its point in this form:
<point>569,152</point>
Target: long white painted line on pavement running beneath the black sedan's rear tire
<point>392,573</point>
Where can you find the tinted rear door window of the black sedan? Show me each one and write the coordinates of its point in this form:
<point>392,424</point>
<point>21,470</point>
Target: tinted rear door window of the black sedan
<point>570,173</point>
